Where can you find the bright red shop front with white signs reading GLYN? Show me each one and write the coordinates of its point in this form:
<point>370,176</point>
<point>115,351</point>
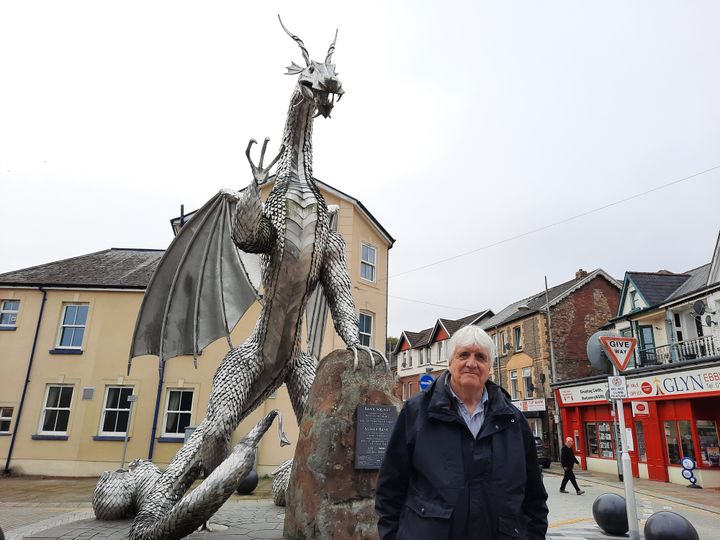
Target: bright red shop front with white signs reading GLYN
<point>672,412</point>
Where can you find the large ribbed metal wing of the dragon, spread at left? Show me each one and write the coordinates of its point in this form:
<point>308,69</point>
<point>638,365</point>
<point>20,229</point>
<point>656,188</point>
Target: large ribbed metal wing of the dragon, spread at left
<point>200,289</point>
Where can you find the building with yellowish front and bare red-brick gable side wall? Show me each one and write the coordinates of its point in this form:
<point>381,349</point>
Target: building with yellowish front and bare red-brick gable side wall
<point>521,335</point>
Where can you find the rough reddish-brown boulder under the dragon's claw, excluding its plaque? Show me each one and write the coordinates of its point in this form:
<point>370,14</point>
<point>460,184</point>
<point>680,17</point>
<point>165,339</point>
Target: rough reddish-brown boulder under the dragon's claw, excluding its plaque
<point>328,498</point>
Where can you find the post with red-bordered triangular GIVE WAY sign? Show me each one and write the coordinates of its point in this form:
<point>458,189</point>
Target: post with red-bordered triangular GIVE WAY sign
<point>620,350</point>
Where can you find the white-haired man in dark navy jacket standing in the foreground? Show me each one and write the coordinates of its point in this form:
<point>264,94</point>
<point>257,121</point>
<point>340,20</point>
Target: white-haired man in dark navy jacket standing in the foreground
<point>461,462</point>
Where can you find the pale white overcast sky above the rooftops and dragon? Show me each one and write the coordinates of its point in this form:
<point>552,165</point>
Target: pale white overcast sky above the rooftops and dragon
<point>464,124</point>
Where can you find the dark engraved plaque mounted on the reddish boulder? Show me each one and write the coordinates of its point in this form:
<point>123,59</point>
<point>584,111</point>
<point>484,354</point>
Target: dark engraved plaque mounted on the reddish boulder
<point>373,426</point>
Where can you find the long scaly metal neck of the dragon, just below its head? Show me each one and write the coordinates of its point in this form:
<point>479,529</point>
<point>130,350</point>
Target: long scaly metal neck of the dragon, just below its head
<point>296,161</point>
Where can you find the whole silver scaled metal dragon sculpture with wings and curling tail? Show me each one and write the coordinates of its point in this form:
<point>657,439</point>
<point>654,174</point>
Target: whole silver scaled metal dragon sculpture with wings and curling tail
<point>203,286</point>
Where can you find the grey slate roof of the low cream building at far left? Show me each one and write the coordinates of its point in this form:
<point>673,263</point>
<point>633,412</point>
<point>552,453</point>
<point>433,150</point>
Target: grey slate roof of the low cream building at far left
<point>111,268</point>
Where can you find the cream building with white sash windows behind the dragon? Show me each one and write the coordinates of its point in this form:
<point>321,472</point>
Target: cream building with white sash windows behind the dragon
<point>65,330</point>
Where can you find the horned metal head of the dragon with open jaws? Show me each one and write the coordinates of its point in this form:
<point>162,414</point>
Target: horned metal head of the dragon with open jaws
<point>318,81</point>
